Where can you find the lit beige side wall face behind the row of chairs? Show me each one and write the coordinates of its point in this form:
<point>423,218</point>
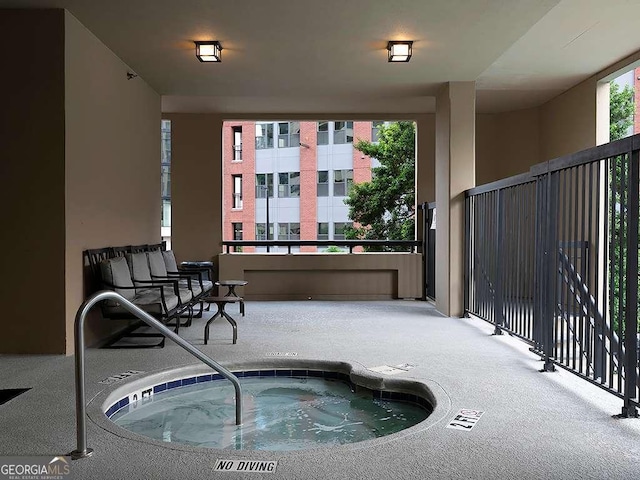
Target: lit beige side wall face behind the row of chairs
<point>112,168</point>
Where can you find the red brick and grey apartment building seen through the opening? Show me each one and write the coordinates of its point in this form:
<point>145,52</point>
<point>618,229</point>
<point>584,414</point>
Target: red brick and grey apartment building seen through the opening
<point>305,168</point>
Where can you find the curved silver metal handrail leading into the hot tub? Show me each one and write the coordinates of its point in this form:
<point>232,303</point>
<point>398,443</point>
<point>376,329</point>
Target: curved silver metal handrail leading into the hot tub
<point>81,428</point>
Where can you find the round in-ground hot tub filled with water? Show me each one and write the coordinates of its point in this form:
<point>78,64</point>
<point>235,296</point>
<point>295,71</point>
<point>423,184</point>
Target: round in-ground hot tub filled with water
<point>290,406</point>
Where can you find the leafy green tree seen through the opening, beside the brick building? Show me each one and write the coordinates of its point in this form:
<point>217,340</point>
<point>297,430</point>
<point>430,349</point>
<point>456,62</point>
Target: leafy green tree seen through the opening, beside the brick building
<point>384,207</point>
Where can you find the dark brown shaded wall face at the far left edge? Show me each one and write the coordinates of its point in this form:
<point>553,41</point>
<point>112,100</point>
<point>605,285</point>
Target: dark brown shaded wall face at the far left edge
<point>32,182</point>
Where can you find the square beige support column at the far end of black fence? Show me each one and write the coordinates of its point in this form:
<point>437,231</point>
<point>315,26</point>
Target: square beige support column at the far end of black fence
<point>455,173</point>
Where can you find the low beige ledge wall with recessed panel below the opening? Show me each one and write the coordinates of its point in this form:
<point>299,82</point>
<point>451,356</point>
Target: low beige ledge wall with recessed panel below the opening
<point>359,276</point>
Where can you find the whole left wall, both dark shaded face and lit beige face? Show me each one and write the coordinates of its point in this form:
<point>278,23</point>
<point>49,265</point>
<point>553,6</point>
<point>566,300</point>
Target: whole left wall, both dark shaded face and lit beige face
<point>80,151</point>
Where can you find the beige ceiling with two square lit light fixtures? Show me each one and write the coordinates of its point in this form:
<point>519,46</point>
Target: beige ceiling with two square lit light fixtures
<point>329,56</point>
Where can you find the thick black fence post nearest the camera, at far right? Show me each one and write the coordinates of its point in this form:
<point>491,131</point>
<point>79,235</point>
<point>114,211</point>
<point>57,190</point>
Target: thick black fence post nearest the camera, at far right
<point>629,409</point>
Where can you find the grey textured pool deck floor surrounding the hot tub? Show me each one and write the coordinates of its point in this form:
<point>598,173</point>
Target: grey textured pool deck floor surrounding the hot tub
<point>534,426</point>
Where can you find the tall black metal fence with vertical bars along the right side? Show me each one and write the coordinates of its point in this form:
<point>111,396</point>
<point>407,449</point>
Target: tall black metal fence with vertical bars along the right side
<point>552,257</point>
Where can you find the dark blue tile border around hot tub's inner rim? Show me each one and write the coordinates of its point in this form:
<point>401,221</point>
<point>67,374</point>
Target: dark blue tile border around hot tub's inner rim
<point>377,394</point>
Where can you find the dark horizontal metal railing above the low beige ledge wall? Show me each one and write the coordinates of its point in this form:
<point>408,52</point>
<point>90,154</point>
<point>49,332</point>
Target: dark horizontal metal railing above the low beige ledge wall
<point>411,245</point>
